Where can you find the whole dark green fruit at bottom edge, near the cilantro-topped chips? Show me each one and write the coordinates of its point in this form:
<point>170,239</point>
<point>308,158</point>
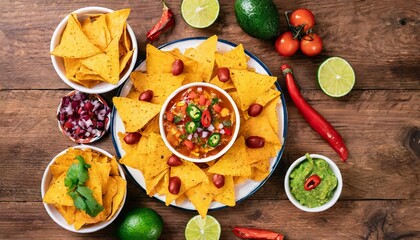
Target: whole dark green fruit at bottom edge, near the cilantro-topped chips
<point>141,224</point>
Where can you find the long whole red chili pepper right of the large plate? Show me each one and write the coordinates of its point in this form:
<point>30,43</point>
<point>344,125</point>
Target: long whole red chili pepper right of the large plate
<point>315,120</point>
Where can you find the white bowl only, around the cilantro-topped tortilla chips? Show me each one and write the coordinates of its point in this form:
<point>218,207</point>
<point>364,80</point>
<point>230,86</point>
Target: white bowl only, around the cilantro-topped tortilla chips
<point>55,214</point>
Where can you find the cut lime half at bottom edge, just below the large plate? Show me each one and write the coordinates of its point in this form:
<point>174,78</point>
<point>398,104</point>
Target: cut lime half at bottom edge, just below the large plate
<point>199,228</point>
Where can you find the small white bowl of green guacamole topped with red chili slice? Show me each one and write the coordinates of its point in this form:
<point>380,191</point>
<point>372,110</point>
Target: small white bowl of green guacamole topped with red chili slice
<point>313,183</point>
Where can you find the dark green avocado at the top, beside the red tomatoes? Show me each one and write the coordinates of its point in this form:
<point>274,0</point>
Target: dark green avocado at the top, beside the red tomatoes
<point>258,18</point>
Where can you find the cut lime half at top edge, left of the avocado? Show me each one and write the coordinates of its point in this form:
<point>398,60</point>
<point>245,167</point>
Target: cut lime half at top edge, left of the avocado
<point>200,13</point>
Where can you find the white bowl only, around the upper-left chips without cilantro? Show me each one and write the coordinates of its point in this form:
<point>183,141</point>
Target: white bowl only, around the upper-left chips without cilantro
<point>58,62</point>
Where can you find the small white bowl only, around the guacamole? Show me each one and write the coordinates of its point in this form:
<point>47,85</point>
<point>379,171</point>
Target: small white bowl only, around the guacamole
<point>337,191</point>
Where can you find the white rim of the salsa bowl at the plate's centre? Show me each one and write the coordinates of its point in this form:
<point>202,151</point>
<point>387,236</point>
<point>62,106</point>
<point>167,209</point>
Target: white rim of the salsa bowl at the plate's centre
<point>235,132</point>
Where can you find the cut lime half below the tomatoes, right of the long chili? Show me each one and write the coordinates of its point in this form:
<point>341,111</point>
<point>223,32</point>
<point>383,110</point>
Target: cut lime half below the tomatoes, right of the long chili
<point>336,77</point>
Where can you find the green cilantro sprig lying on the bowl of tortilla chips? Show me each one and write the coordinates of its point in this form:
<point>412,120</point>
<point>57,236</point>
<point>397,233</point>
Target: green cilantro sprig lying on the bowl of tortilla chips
<point>82,196</point>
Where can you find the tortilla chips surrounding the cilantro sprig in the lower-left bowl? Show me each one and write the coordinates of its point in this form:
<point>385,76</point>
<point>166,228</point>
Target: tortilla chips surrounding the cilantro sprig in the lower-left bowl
<point>104,180</point>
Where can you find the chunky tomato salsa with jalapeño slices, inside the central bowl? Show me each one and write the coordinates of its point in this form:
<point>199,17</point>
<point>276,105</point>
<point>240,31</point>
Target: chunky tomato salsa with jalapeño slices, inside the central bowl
<point>199,122</point>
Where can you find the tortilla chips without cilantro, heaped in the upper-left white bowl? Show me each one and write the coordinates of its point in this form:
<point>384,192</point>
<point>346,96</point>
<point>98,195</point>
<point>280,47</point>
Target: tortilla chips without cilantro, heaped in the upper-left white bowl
<point>98,49</point>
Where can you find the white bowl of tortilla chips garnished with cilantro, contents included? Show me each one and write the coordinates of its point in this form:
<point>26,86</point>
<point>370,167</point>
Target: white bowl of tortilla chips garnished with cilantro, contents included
<point>83,189</point>
